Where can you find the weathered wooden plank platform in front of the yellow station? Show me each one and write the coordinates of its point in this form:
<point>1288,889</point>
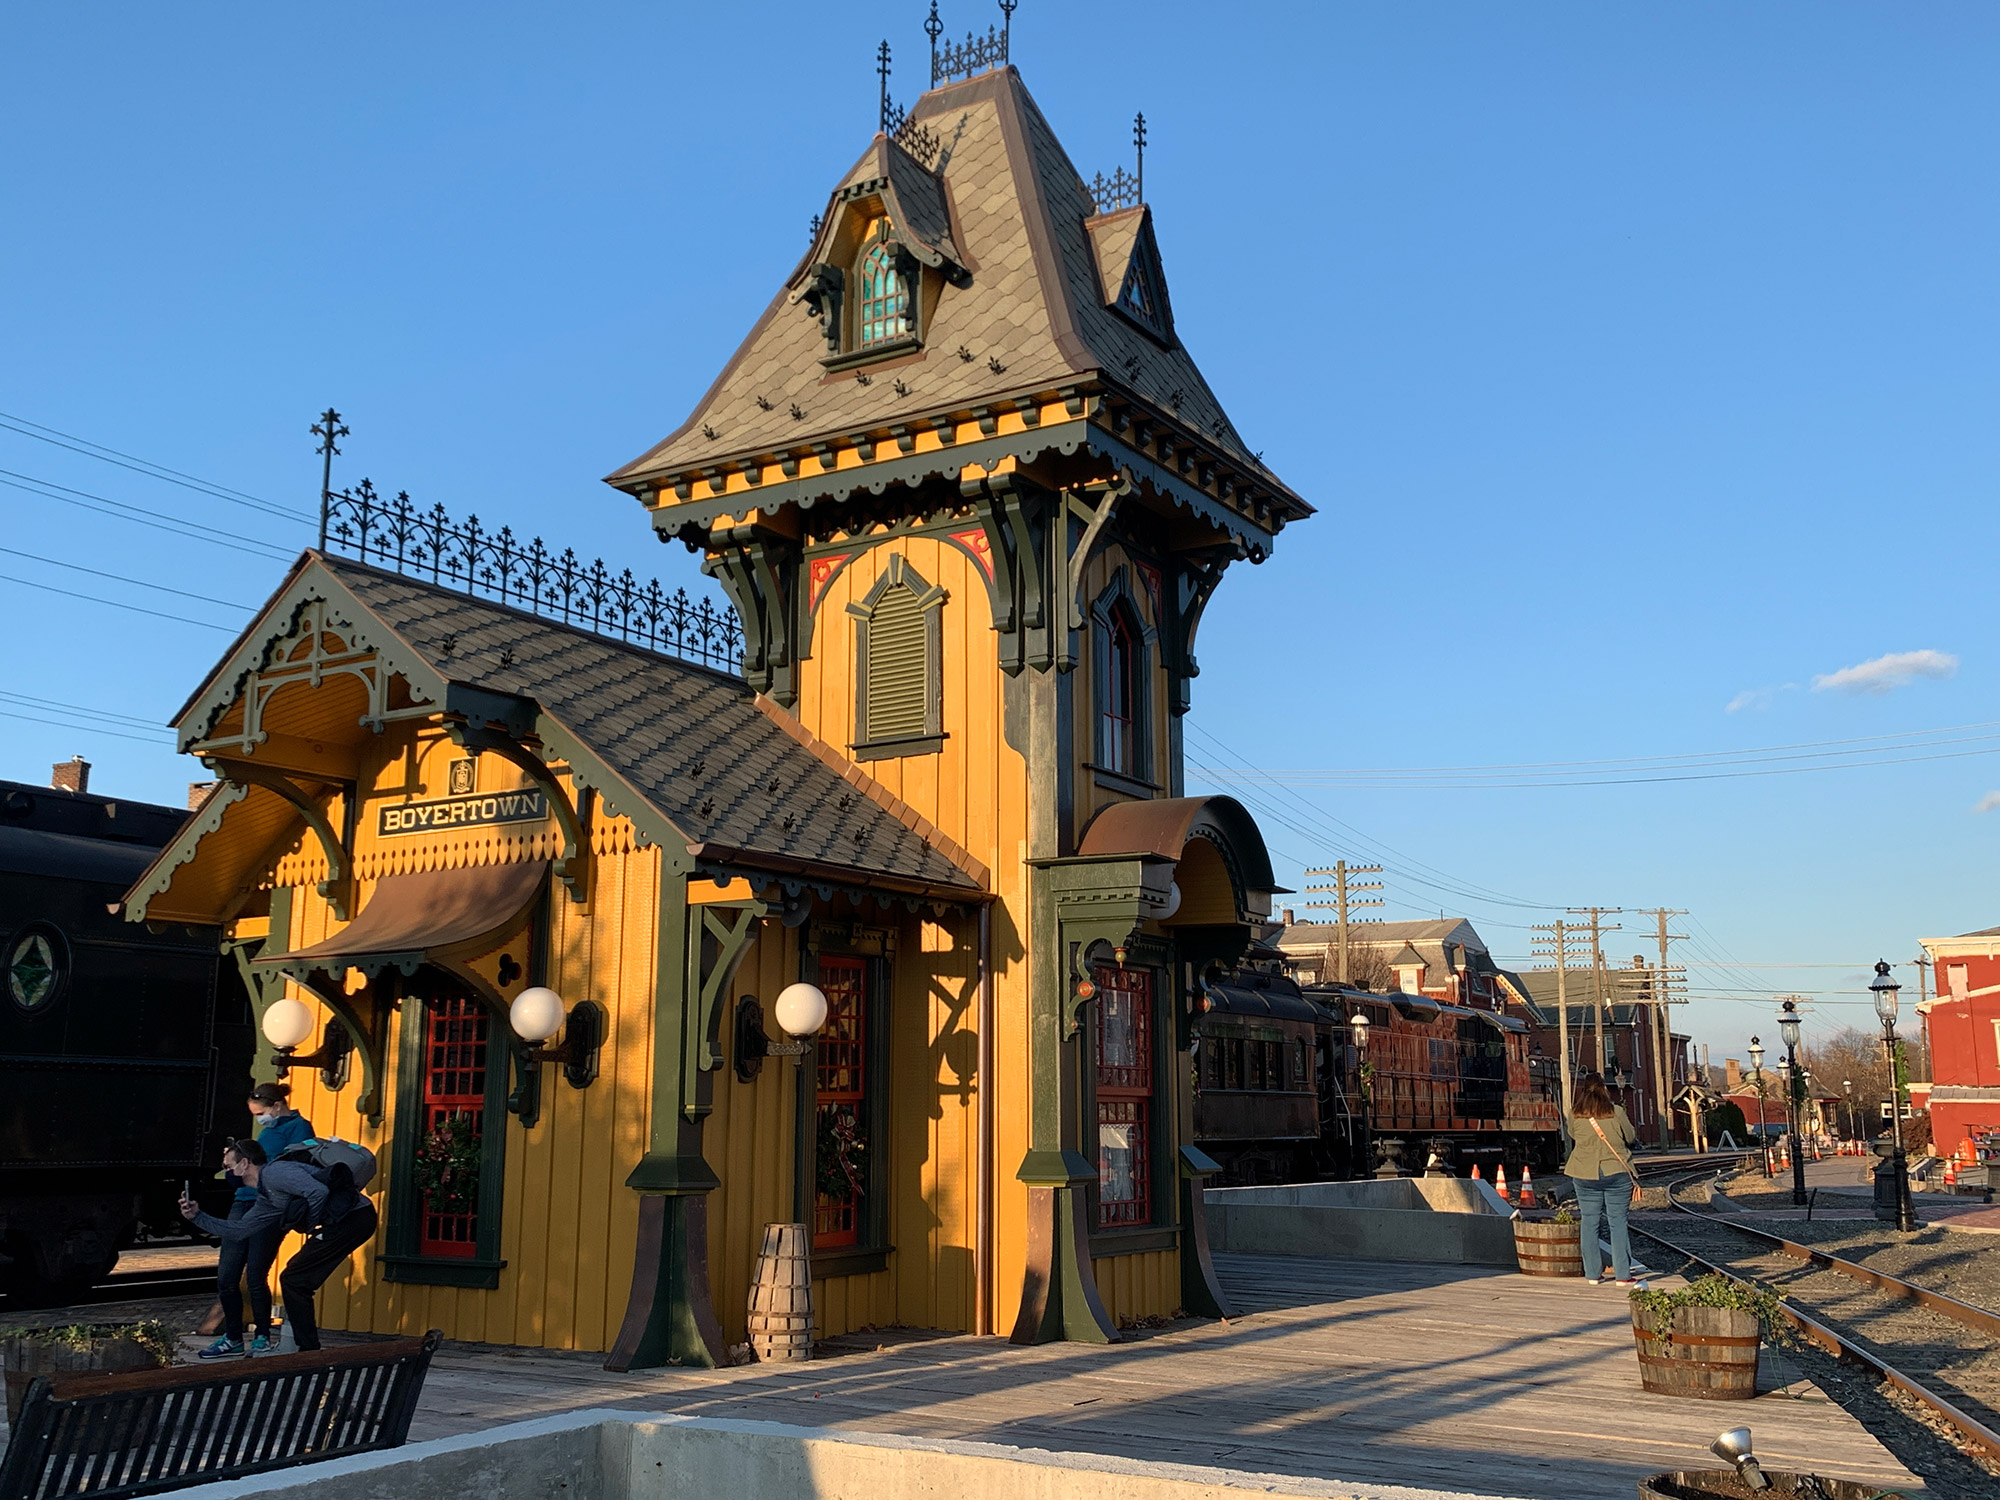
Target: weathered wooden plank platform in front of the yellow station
<point>1443,1377</point>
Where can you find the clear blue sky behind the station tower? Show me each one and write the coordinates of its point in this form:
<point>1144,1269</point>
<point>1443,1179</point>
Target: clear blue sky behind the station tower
<point>1639,359</point>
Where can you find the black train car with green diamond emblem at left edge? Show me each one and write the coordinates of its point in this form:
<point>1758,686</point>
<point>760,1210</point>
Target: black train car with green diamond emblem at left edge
<point>115,1041</point>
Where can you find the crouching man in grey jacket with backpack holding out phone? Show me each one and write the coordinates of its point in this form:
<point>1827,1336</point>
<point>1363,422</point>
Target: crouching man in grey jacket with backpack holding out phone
<point>311,1189</point>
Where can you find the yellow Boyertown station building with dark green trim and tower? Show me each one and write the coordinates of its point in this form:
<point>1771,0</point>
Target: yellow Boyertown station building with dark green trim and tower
<point>969,497</point>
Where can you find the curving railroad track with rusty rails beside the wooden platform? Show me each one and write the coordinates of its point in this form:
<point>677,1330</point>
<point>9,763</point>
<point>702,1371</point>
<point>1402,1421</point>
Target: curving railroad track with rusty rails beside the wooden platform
<point>1941,1351</point>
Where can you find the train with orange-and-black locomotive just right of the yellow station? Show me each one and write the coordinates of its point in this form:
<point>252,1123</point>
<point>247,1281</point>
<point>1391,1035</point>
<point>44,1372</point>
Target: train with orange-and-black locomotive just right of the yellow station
<point>1289,1089</point>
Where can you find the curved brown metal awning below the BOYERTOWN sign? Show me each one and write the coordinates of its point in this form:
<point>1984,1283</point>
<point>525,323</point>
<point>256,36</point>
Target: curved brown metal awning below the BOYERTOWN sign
<point>415,917</point>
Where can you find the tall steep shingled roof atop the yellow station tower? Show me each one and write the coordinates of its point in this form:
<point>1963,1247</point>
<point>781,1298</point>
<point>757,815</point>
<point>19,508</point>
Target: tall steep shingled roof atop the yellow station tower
<point>1029,315</point>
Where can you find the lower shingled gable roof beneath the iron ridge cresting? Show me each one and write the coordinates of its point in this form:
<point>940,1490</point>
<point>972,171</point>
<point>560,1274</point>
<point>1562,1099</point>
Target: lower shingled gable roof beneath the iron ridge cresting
<point>685,751</point>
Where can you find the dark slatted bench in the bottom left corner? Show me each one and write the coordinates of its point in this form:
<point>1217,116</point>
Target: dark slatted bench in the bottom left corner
<point>125,1435</point>
